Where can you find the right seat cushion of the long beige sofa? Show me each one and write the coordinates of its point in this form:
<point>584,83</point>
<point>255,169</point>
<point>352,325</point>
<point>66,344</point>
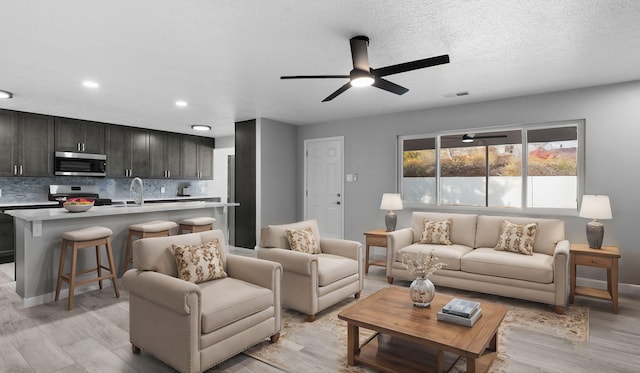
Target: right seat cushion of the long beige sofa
<point>487,261</point>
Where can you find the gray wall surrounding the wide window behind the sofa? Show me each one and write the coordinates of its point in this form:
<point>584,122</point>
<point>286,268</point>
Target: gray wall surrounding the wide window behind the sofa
<point>611,112</point>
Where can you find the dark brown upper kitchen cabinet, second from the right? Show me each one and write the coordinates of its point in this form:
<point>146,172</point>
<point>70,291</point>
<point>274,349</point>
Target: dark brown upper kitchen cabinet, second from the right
<point>165,155</point>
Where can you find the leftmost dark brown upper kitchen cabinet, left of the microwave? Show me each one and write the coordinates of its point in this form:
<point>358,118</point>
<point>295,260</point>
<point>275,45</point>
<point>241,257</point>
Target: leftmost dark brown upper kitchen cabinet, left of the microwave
<point>26,144</point>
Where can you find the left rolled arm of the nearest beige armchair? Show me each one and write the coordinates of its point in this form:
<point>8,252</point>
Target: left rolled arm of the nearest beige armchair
<point>166,291</point>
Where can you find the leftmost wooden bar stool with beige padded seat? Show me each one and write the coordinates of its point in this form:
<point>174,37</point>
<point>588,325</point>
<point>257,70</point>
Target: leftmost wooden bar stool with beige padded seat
<point>82,239</point>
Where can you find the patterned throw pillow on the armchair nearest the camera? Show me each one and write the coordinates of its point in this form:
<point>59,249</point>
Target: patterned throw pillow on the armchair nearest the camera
<point>199,263</point>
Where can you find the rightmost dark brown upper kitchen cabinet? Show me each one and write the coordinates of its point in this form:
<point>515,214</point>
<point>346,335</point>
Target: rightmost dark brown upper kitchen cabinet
<point>197,157</point>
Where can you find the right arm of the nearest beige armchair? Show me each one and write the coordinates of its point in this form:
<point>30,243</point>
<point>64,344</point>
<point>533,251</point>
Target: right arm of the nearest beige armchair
<point>264,273</point>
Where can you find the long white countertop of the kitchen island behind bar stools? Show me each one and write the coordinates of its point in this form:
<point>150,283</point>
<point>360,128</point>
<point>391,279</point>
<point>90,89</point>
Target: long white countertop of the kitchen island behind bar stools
<point>97,211</point>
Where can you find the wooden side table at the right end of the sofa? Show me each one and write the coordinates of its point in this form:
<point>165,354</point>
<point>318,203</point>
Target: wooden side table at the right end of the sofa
<point>606,257</point>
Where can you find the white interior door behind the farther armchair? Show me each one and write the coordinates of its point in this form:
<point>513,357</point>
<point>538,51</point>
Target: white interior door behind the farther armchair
<point>324,185</point>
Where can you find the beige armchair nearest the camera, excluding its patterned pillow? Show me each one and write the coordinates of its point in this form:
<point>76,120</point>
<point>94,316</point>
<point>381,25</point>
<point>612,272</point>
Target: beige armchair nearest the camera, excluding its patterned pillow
<point>193,327</point>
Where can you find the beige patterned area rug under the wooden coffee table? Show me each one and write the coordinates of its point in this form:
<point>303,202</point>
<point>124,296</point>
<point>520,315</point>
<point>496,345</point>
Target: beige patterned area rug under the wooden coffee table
<point>320,346</point>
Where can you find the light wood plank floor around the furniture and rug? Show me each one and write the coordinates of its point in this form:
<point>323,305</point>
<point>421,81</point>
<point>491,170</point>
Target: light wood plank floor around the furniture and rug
<point>94,337</point>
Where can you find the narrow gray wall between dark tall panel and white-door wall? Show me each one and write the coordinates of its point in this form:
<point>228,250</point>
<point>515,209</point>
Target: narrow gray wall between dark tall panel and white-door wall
<point>277,181</point>
